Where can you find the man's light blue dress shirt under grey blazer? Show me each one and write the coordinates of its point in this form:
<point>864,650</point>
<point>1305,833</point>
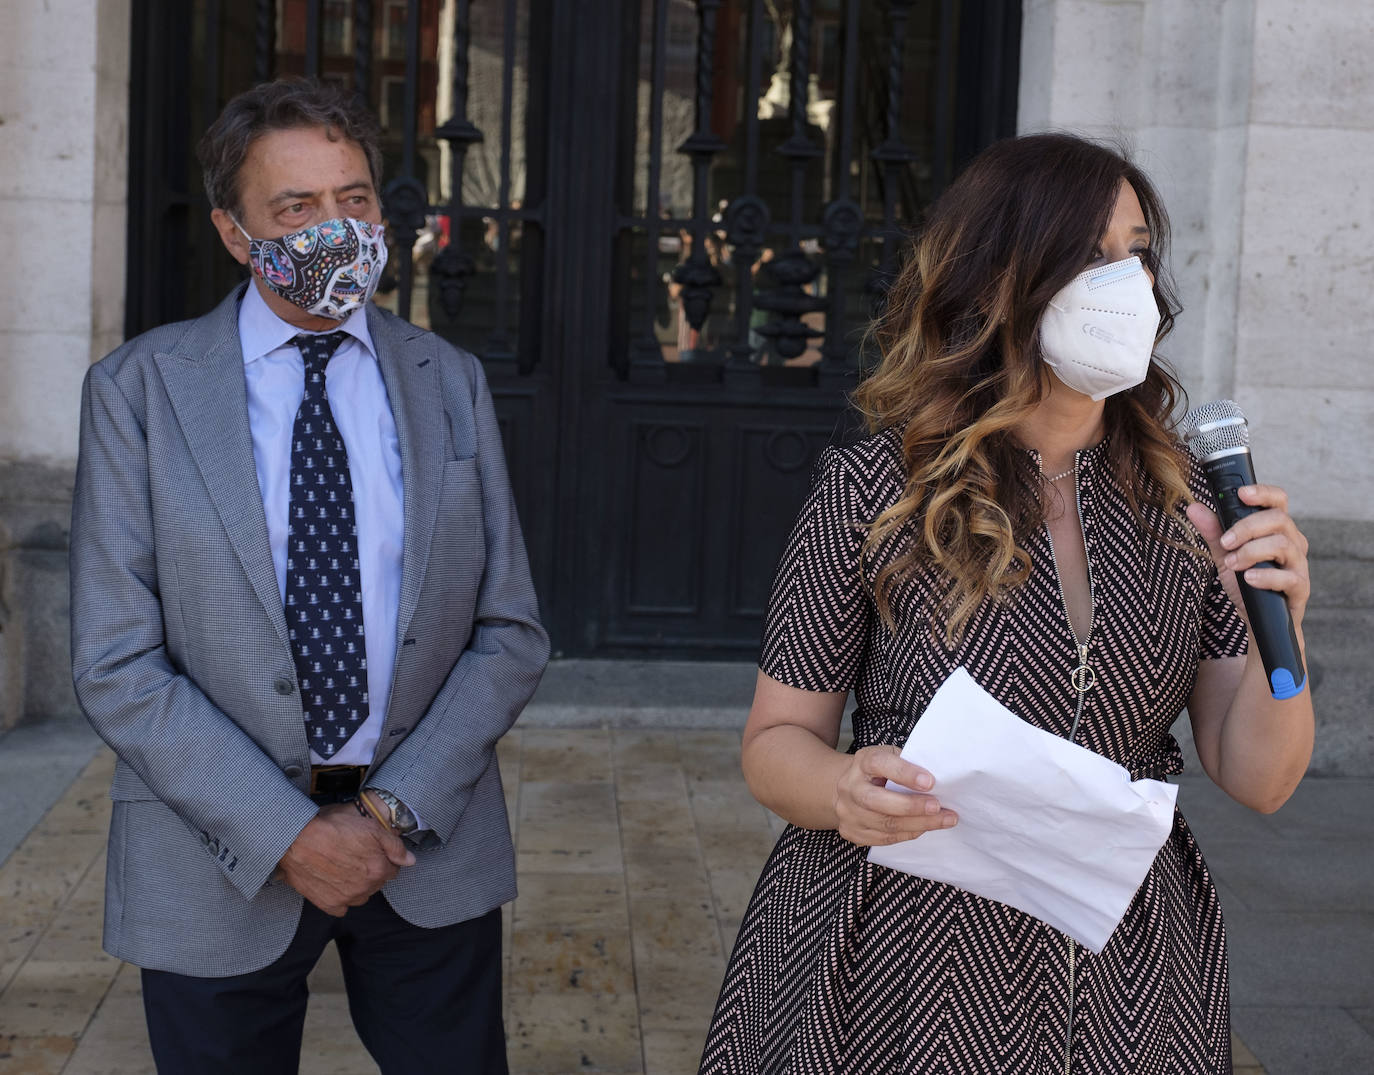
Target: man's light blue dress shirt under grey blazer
<point>275,376</point>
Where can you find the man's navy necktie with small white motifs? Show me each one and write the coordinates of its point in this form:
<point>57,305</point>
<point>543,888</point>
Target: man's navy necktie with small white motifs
<point>324,584</point>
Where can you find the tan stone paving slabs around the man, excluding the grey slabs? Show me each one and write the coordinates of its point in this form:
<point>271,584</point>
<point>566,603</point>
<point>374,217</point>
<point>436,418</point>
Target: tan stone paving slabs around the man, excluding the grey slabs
<point>637,852</point>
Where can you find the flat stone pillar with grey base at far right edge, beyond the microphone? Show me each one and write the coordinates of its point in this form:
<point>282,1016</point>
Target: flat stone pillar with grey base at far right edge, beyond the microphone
<point>1305,331</point>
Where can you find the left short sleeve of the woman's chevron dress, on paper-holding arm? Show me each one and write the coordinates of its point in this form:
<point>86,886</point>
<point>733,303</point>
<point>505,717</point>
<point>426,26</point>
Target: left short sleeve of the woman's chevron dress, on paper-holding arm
<point>820,614</point>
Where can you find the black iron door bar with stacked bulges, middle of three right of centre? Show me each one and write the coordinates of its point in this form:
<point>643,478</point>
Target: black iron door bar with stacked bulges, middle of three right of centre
<point>793,270</point>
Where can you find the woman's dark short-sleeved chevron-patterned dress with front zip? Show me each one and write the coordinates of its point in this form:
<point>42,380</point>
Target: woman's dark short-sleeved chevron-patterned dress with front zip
<point>848,967</point>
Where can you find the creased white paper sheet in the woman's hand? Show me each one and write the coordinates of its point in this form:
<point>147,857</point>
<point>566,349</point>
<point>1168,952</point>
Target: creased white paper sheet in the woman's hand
<point>1045,825</point>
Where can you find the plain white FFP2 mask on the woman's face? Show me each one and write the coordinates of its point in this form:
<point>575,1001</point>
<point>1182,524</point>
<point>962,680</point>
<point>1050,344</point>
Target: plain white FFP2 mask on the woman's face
<point>1099,332</point>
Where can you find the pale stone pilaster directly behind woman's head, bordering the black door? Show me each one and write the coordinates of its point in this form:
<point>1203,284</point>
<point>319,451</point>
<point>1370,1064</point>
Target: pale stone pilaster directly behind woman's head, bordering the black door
<point>1170,80</point>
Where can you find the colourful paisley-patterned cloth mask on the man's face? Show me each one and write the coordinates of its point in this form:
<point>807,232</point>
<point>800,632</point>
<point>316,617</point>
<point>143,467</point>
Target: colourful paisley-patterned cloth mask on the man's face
<point>329,269</point>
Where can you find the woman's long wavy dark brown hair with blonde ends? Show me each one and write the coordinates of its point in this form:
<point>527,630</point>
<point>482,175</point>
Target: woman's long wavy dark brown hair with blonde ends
<point>962,366</point>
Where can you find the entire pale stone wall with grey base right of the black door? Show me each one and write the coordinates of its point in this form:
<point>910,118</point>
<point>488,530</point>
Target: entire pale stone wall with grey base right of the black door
<point>1257,120</point>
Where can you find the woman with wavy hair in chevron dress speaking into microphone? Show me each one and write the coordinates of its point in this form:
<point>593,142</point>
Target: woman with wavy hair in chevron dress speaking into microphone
<point>1023,509</point>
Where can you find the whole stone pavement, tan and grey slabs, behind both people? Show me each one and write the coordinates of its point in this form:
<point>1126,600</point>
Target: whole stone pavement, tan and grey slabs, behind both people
<point>638,849</point>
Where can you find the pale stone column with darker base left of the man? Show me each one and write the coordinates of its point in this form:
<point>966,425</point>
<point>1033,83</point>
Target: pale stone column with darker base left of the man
<point>64,122</point>
